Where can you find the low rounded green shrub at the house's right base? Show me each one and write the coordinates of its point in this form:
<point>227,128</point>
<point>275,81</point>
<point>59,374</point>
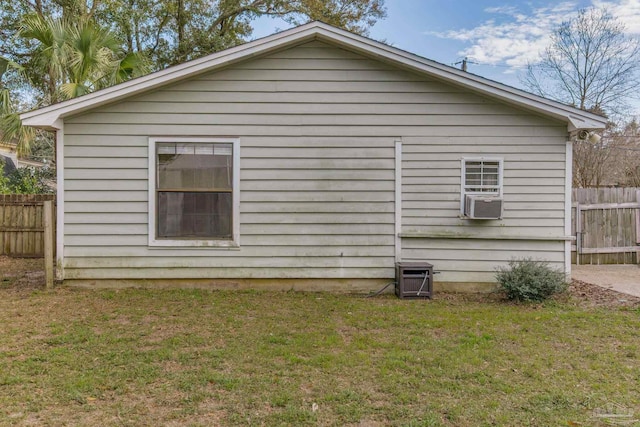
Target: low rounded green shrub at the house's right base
<point>530,280</point>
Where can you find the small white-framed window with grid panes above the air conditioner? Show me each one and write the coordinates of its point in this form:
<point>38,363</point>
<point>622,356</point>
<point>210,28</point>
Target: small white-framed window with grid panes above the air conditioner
<point>481,176</point>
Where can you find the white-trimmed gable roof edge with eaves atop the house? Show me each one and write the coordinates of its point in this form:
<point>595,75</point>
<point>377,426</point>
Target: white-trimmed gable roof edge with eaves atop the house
<point>49,117</point>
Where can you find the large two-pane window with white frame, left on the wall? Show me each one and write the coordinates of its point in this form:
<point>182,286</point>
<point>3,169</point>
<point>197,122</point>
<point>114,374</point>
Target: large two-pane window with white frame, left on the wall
<point>193,188</point>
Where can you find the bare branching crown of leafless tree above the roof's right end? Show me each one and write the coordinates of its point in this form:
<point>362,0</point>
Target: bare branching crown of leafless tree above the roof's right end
<point>590,64</point>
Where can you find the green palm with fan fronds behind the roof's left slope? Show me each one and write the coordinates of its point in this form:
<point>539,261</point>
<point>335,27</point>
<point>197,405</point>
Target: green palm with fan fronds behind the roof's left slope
<point>69,59</point>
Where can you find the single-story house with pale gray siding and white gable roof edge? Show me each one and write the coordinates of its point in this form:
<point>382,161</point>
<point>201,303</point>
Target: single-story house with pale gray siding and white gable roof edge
<point>310,159</point>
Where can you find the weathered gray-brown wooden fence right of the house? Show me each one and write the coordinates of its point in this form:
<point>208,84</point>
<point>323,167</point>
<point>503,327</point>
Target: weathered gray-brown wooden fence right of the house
<point>606,224</point>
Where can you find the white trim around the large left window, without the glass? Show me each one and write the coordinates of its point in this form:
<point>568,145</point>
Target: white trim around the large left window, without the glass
<point>204,243</point>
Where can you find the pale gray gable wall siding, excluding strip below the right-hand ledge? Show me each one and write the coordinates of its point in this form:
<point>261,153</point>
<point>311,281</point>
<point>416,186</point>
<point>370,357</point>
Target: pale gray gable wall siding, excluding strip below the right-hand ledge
<point>317,126</point>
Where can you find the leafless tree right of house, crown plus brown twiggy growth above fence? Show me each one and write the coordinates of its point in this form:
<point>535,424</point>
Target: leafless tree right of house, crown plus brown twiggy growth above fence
<point>593,65</point>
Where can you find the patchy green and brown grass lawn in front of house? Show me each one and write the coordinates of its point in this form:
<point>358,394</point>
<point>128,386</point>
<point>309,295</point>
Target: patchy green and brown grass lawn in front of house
<point>186,357</point>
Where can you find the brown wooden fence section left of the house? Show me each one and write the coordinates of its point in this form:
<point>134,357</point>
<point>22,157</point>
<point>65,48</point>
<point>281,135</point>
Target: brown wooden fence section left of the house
<point>22,219</point>
